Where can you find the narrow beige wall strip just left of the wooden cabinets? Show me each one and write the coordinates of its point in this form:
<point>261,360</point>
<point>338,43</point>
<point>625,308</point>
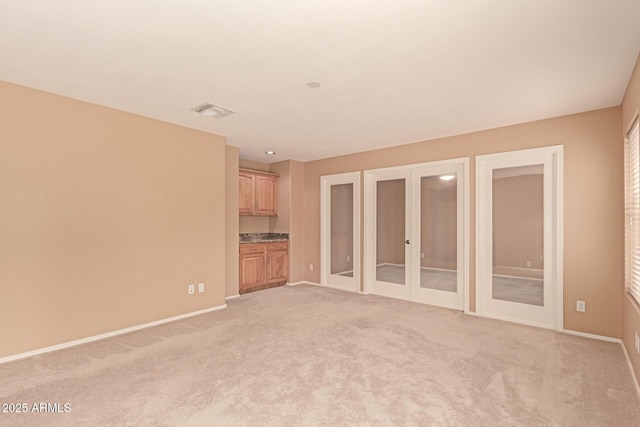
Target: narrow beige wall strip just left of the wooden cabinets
<point>232,225</point>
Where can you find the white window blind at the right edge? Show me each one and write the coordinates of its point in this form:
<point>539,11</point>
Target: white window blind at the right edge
<point>632,211</point>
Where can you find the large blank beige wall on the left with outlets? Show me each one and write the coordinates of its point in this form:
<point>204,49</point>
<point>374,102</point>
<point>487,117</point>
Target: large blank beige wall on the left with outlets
<point>106,218</point>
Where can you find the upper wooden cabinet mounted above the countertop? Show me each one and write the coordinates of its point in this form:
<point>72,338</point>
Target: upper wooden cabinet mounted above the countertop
<point>258,193</point>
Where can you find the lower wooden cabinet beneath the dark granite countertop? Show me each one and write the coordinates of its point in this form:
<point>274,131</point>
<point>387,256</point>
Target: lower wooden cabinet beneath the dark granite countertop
<point>263,265</point>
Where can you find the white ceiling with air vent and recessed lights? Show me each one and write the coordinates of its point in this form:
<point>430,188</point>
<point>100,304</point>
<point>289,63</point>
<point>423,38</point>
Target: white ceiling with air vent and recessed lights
<point>392,71</point>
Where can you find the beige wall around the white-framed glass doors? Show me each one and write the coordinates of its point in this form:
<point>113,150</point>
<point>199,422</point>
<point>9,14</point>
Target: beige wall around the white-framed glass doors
<point>592,202</point>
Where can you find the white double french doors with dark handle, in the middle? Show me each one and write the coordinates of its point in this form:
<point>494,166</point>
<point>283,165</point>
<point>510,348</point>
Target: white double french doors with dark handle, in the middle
<point>415,232</point>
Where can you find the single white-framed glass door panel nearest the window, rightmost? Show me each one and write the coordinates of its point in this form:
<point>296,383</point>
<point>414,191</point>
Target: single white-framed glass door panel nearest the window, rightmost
<point>519,230</point>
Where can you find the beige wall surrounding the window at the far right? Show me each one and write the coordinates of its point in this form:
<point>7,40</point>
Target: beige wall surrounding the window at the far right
<point>630,310</point>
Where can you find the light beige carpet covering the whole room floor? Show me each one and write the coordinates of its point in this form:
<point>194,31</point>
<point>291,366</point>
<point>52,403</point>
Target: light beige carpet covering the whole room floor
<point>307,355</point>
